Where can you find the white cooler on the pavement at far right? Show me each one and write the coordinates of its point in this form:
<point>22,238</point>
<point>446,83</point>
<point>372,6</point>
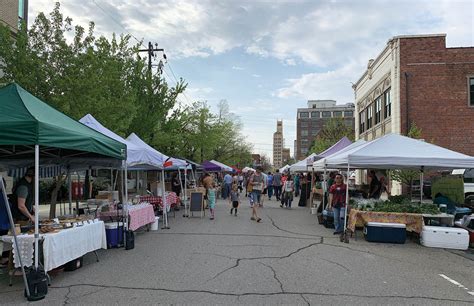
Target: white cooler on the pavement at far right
<point>445,237</point>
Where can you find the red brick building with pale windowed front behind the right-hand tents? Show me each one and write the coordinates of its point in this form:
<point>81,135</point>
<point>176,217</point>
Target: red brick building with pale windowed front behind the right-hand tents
<point>416,79</point>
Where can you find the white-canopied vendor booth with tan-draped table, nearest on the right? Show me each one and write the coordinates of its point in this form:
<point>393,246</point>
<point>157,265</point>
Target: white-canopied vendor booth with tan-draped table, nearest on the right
<point>393,151</point>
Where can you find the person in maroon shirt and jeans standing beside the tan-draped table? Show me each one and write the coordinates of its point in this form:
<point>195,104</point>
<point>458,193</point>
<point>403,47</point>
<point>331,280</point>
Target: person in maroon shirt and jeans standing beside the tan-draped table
<point>337,201</point>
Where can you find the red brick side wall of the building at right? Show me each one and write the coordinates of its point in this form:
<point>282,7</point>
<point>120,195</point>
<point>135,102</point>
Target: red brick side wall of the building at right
<point>437,97</point>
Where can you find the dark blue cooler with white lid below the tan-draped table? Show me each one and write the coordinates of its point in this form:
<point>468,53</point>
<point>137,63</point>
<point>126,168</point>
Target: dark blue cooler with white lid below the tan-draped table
<point>385,232</point>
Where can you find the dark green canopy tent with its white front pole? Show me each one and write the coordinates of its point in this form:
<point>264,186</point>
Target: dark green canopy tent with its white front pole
<point>31,129</point>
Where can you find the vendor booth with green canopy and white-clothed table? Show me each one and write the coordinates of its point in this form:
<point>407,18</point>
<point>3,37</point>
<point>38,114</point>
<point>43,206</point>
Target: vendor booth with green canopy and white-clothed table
<point>32,132</point>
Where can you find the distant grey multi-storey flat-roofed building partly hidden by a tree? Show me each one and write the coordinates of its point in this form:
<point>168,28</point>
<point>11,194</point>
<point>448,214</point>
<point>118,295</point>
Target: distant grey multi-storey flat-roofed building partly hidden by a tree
<point>311,120</point>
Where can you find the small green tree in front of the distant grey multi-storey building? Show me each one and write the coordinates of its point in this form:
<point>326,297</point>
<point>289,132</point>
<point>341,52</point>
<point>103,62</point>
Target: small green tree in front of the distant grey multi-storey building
<point>333,130</point>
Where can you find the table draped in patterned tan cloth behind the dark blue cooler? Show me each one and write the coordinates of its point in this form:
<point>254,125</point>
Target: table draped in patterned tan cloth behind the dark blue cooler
<point>358,218</point>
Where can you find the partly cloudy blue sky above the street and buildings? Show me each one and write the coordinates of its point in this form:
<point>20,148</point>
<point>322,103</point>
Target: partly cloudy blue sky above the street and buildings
<point>267,58</point>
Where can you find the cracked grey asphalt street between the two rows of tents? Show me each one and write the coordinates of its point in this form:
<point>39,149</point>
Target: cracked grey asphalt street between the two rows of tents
<point>286,259</point>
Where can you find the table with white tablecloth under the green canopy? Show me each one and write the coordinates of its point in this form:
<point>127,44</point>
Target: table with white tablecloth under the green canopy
<point>63,246</point>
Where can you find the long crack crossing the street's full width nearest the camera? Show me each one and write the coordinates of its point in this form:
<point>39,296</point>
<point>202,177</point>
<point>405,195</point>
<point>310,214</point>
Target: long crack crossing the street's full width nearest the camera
<point>323,294</point>
